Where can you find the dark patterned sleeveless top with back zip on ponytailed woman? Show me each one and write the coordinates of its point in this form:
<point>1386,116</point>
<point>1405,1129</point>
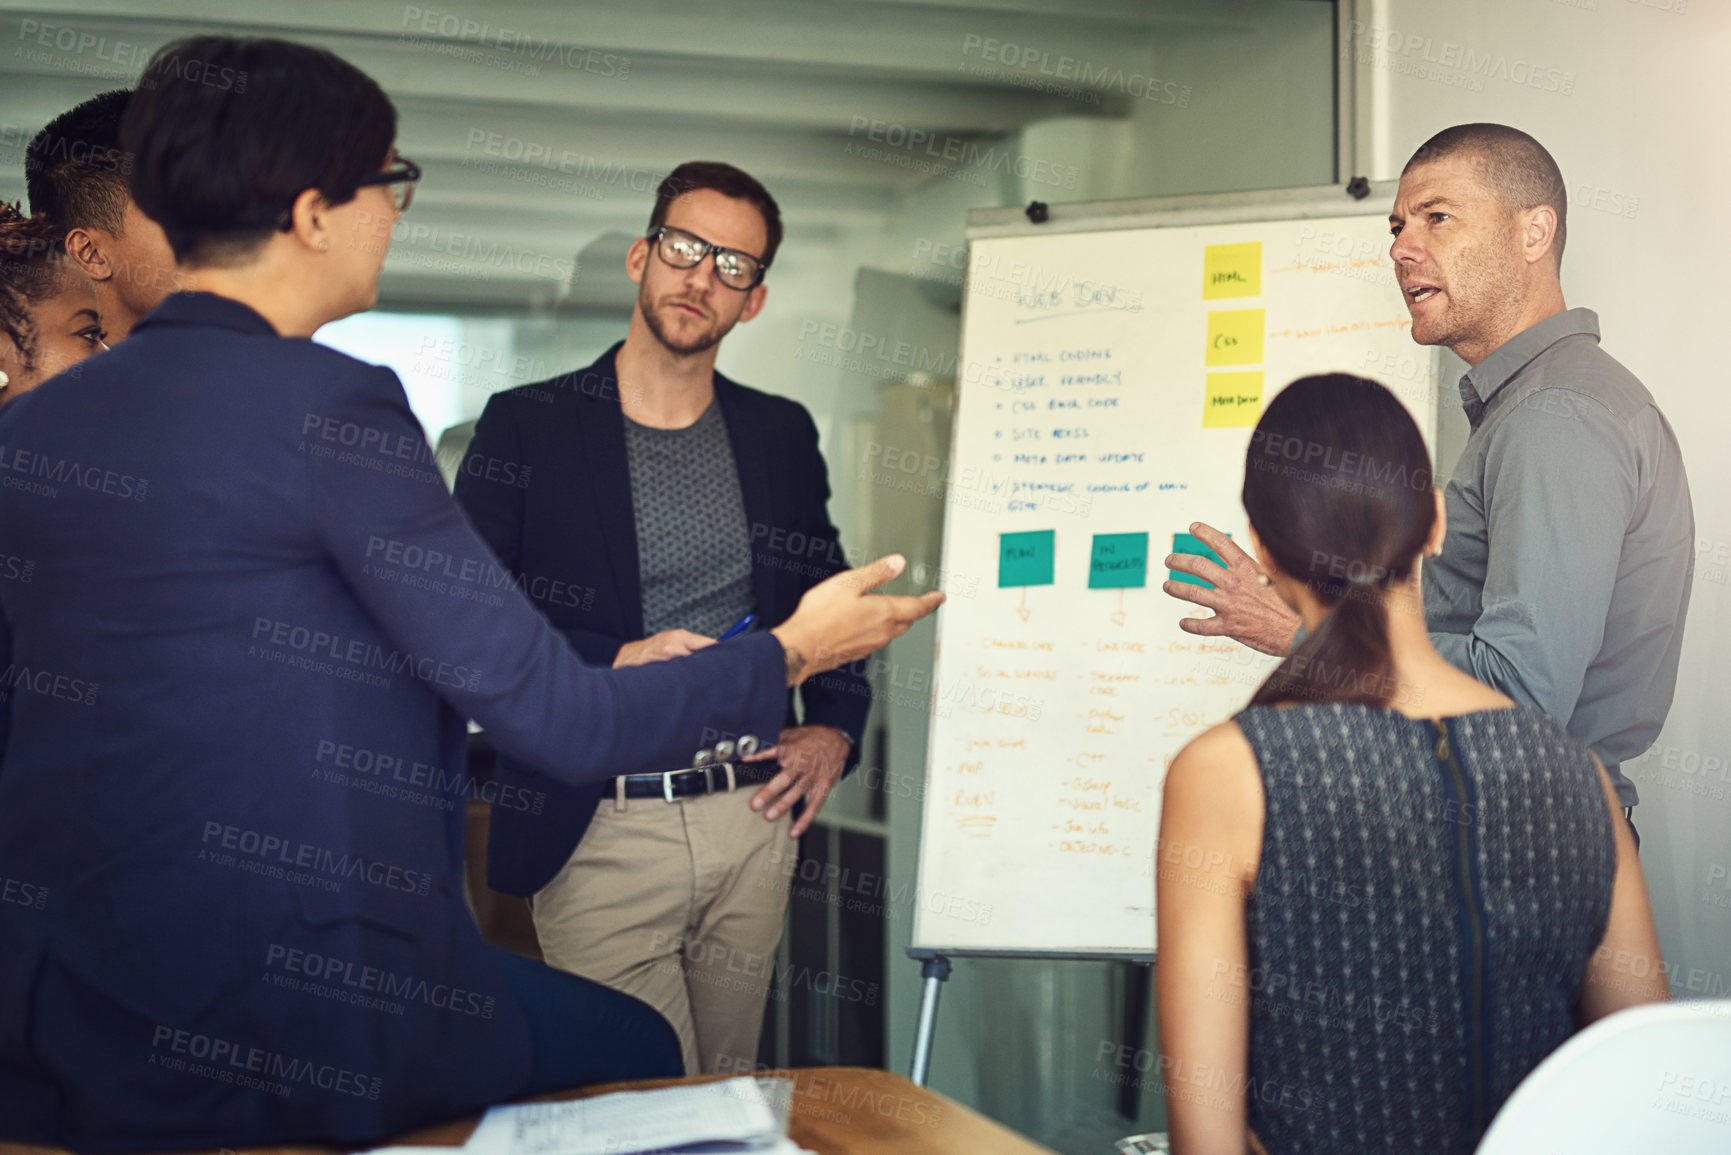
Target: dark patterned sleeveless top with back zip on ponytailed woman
<point>1420,924</point>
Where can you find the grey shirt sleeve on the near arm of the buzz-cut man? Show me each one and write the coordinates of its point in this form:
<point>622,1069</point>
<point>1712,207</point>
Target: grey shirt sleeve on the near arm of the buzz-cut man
<point>1560,484</point>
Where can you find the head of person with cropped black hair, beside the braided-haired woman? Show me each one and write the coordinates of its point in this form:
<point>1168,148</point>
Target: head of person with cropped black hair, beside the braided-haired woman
<point>75,172</point>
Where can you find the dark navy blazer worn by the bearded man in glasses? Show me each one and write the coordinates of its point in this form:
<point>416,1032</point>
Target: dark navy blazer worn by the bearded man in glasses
<point>548,486</point>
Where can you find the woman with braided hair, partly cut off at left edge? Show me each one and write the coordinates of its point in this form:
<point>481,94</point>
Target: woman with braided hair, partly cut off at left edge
<point>48,306</point>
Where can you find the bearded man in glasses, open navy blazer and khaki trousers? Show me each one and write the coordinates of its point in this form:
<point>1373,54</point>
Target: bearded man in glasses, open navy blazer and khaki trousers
<point>650,505</point>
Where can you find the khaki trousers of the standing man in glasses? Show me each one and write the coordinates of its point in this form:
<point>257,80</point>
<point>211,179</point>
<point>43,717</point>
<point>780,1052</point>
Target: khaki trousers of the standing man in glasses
<point>679,905</point>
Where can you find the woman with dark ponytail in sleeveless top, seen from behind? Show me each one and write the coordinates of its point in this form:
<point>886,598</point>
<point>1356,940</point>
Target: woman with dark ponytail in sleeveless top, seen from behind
<point>1386,891</point>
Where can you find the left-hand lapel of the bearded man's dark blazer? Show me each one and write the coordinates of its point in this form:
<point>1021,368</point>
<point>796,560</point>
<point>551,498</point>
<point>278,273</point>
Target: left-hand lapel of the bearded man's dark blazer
<point>602,436</point>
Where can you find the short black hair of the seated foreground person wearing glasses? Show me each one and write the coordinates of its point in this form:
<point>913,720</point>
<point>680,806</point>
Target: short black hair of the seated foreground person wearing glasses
<point>226,132</point>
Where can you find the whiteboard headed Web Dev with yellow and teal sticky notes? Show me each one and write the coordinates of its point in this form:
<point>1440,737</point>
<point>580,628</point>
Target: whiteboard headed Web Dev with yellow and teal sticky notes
<point>1104,397</point>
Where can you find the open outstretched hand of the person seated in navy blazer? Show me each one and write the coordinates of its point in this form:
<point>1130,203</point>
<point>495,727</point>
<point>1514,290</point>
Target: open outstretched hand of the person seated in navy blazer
<point>840,621</point>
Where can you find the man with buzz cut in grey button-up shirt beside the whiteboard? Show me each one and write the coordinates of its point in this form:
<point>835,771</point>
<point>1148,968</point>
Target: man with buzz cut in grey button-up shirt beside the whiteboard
<point>1566,574</point>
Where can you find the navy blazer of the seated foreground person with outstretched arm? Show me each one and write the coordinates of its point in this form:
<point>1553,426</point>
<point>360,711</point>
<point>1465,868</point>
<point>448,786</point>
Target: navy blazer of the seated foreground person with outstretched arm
<point>233,797</point>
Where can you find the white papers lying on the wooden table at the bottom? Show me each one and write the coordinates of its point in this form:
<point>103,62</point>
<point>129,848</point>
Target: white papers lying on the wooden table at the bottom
<point>728,1116</point>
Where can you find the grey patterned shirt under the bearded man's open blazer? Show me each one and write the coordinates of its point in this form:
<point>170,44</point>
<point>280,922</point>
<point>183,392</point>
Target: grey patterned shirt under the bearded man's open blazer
<point>693,543</point>
